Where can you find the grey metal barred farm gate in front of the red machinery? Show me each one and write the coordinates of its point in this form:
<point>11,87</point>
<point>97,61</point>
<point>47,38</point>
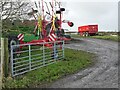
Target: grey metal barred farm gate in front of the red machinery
<point>33,56</point>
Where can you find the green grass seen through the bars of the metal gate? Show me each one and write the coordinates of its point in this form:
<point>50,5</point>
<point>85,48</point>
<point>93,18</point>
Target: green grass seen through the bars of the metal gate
<point>35,60</point>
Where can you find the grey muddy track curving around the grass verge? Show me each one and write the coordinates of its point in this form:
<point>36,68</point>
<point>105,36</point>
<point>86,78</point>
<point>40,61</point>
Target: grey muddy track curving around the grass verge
<point>104,74</point>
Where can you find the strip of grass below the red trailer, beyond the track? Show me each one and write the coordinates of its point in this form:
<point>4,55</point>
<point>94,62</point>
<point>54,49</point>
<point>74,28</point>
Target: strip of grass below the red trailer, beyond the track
<point>104,37</point>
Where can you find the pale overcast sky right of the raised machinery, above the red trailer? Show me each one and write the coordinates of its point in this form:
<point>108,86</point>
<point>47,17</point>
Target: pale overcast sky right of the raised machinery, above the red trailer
<point>105,14</point>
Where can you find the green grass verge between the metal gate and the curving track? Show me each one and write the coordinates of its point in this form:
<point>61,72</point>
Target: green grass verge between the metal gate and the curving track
<point>74,61</point>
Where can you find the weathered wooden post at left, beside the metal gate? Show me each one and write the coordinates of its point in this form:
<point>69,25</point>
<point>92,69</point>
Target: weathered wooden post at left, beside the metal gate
<point>4,57</point>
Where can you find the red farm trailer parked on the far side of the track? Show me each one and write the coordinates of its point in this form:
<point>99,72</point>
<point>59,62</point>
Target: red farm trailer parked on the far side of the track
<point>88,30</point>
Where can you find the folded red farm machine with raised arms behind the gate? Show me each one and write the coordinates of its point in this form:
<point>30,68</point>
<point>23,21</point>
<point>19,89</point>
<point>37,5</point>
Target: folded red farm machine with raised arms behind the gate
<point>45,30</point>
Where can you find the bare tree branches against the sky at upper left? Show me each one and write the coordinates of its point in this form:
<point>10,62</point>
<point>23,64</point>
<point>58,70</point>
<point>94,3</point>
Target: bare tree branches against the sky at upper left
<point>17,9</point>
